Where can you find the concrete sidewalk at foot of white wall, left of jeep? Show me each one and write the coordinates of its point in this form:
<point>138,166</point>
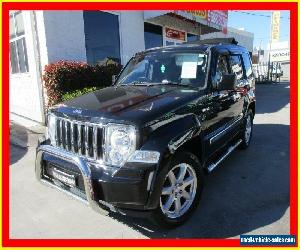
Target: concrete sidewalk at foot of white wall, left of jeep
<point>25,136</point>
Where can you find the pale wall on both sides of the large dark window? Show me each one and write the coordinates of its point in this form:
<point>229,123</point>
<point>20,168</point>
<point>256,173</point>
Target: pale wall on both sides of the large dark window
<point>65,38</point>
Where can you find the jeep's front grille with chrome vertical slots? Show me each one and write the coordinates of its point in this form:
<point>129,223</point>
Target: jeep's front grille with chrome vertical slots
<point>79,137</point>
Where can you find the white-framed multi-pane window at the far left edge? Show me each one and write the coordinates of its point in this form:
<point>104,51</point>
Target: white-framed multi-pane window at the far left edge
<point>17,44</point>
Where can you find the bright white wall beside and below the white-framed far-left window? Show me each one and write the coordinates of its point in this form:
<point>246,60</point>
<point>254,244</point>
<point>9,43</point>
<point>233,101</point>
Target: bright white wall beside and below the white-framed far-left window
<point>24,88</point>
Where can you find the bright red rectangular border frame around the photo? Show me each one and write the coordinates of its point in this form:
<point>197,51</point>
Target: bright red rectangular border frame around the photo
<point>6,241</point>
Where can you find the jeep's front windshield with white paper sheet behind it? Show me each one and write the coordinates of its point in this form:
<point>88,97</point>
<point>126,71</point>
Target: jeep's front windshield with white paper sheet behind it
<point>166,68</point>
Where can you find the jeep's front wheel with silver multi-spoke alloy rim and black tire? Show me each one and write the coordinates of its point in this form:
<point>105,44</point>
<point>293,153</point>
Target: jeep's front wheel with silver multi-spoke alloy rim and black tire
<point>175,192</point>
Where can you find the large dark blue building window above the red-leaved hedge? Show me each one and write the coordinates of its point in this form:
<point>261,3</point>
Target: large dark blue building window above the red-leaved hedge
<point>102,40</point>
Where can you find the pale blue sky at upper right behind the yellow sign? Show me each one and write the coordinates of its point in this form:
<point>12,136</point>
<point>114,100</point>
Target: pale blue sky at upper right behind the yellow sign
<point>258,22</point>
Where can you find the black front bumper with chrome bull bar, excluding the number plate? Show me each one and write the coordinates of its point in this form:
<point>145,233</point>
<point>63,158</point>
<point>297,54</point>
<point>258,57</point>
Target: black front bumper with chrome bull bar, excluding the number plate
<point>103,188</point>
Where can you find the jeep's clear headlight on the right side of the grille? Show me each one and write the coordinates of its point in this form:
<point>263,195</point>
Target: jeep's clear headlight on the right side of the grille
<point>120,143</point>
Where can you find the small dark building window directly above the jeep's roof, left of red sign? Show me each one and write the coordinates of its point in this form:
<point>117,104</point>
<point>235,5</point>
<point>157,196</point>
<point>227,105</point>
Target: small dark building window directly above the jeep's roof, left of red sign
<point>153,35</point>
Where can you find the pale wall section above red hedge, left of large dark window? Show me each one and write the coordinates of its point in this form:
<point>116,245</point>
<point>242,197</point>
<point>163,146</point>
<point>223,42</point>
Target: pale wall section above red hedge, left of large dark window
<point>65,37</point>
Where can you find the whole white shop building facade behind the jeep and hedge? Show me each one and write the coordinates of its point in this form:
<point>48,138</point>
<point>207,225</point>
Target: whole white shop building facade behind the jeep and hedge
<point>38,38</point>
